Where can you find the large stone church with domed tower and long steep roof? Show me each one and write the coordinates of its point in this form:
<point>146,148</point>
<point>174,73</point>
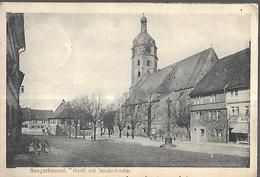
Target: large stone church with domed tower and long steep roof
<point>155,86</point>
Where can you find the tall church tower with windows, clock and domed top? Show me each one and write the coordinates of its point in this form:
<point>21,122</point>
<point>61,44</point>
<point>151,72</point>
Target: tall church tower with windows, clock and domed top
<point>144,54</point>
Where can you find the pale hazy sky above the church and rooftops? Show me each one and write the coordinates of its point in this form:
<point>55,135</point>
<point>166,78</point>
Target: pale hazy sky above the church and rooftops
<point>70,55</point>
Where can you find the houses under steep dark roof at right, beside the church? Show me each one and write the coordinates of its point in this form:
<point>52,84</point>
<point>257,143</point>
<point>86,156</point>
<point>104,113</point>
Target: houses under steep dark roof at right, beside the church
<point>221,103</point>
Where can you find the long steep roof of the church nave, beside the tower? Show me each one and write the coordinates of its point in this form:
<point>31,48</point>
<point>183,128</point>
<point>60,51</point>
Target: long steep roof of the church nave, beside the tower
<point>178,76</point>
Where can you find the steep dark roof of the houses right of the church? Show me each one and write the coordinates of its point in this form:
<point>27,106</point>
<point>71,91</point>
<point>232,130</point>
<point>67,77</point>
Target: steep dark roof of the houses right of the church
<point>231,72</point>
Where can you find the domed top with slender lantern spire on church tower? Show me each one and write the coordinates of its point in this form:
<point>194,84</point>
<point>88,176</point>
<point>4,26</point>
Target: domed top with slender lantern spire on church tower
<point>143,38</point>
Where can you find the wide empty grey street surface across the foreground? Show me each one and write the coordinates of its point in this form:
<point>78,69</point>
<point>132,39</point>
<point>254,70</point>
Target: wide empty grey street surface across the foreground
<point>112,152</point>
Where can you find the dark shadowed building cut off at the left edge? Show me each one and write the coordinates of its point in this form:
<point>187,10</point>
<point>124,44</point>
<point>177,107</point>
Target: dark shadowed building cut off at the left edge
<point>15,45</point>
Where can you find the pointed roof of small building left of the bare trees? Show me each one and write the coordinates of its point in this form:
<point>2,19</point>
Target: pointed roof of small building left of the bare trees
<point>63,111</point>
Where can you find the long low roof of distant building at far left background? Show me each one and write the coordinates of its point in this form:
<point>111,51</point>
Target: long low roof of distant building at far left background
<point>35,114</point>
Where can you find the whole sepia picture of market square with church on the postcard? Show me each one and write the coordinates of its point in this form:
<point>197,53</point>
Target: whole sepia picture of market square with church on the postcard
<point>129,89</point>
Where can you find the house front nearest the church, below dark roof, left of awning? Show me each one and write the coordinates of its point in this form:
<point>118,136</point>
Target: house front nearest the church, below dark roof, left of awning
<point>208,118</point>
